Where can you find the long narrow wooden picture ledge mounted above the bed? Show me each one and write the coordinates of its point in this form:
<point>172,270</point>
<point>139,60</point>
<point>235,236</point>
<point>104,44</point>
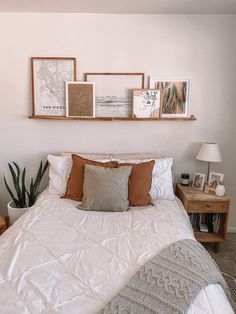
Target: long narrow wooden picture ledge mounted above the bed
<point>191,118</point>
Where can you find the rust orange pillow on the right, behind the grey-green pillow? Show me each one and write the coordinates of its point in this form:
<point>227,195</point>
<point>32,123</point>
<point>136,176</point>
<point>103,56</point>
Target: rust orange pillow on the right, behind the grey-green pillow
<point>140,181</point>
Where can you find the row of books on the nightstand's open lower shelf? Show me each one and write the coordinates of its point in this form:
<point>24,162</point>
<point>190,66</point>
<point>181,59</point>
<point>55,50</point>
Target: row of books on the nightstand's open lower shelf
<point>206,222</point>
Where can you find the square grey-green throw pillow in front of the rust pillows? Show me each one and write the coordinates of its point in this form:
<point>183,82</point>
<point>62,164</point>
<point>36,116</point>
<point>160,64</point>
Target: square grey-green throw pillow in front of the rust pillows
<point>105,189</point>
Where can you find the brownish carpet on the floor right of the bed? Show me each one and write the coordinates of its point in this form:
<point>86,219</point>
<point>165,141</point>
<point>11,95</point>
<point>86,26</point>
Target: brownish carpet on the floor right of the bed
<point>226,260</point>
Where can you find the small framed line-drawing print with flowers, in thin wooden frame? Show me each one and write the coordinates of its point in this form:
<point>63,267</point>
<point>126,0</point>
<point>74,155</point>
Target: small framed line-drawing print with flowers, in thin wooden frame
<point>146,103</point>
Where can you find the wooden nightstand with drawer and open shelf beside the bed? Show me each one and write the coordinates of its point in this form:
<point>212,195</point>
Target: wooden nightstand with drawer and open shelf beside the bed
<point>196,201</point>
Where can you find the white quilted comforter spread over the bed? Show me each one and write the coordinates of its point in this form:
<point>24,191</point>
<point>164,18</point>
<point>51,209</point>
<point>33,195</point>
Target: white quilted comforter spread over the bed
<point>58,259</point>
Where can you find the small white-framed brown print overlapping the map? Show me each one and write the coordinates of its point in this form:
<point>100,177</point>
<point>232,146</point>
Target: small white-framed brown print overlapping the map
<point>80,99</point>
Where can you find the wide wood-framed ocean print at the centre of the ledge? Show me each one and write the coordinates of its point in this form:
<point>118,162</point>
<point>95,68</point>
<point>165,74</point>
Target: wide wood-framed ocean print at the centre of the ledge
<point>114,92</point>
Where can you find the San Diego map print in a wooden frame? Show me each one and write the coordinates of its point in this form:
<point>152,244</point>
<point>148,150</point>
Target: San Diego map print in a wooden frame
<point>49,75</point>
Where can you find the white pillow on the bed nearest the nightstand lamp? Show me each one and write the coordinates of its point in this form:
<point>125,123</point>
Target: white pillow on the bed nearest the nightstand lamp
<point>162,183</point>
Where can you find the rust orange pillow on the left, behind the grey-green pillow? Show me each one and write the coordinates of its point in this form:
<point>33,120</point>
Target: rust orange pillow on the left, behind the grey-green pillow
<point>74,190</point>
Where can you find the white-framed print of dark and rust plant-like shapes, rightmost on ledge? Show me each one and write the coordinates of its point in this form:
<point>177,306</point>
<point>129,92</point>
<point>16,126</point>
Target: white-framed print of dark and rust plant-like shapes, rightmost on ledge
<point>174,96</point>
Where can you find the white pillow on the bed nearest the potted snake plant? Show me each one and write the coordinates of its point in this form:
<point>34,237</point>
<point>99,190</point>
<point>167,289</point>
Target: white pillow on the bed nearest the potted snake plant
<point>59,171</point>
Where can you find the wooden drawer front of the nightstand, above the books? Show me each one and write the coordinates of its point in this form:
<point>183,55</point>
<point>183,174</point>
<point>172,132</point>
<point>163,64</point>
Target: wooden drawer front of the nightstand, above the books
<point>207,207</point>
